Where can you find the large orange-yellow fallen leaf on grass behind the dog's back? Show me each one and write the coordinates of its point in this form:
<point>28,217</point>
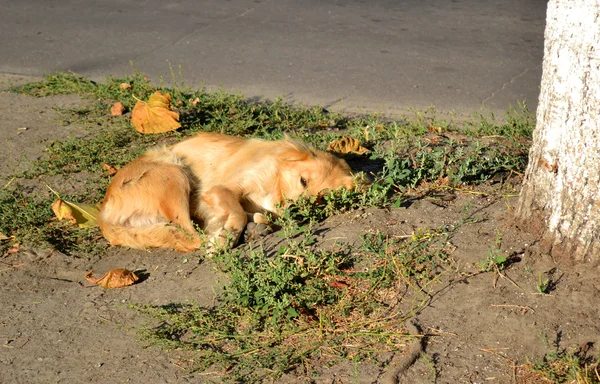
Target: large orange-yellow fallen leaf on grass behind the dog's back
<point>156,115</point>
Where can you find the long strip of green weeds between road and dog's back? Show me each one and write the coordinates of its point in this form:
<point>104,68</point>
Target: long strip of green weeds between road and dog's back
<point>416,149</point>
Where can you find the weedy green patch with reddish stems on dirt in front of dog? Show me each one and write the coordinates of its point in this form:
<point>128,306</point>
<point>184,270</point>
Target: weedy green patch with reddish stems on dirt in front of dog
<point>299,307</point>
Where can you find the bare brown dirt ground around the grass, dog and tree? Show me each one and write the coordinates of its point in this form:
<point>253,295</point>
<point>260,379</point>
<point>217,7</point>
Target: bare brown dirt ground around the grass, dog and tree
<point>481,328</point>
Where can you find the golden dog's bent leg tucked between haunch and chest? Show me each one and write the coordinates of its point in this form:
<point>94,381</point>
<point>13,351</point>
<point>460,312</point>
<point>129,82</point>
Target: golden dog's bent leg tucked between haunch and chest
<point>223,215</point>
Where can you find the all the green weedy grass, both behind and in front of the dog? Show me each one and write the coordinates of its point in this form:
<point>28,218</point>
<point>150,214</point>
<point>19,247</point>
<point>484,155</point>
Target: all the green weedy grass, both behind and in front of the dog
<point>296,306</point>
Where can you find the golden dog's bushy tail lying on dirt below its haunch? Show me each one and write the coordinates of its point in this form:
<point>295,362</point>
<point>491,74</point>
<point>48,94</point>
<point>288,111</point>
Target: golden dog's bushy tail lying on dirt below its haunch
<point>159,235</point>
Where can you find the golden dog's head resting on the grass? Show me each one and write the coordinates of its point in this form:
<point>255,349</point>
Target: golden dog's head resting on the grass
<point>309,172</point>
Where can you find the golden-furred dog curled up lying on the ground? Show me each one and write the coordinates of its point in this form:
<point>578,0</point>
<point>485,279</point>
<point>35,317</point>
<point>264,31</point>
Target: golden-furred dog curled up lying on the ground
<point>220,182</point>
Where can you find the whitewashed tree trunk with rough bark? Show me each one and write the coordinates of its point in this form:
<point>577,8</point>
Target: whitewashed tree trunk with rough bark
<point>561,191</point>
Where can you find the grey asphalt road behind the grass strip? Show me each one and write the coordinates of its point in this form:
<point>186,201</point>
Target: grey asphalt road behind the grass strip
<point>365,55</point>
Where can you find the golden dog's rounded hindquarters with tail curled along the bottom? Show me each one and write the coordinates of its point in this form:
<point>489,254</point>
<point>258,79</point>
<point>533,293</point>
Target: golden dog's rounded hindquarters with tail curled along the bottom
<point>147,205</point>
